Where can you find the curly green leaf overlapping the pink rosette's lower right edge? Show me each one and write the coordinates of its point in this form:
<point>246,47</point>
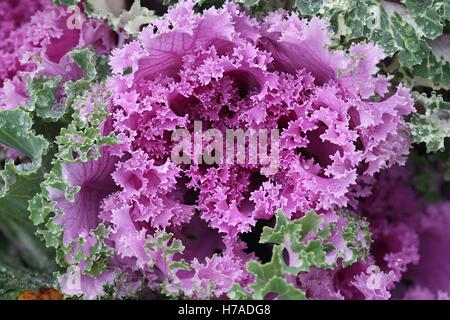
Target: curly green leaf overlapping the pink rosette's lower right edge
<point>306,242</point>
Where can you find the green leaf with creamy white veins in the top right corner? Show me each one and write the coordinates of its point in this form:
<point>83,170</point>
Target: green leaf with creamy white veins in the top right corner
<point>404,30</point>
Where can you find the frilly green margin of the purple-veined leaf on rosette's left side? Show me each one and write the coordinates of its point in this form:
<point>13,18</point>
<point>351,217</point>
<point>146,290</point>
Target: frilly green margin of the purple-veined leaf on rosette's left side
<point>80,142</point>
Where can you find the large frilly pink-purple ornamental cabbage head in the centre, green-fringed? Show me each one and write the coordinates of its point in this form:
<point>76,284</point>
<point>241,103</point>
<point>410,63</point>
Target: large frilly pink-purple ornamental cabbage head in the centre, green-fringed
<point>125,217</point>
